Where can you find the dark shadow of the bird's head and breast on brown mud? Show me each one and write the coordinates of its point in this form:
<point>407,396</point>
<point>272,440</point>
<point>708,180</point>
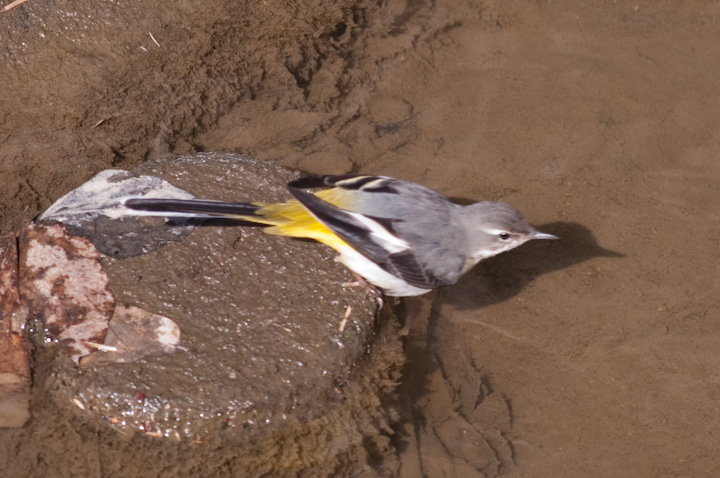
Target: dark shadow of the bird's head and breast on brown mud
<point>502,277</point>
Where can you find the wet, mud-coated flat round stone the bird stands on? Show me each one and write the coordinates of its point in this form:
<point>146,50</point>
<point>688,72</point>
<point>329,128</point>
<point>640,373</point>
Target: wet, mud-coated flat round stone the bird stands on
<point>267,377</point>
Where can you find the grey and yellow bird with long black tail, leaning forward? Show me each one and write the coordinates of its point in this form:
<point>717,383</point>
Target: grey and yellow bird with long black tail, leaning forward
<point>399,237</point>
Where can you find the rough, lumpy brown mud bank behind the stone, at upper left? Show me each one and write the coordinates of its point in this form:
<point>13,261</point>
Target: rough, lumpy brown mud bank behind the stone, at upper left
<point>110,84</point>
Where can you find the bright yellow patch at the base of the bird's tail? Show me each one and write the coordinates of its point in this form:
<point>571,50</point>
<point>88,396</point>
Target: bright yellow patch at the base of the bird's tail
<point>293,220</point>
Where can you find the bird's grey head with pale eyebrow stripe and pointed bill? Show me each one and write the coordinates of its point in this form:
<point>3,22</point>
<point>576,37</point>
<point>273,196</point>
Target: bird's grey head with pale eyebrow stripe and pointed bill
<point>495,227</point>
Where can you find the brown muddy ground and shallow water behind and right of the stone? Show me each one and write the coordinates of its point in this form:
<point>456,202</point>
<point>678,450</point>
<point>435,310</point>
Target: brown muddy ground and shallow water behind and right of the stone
<point>593,356</point>
